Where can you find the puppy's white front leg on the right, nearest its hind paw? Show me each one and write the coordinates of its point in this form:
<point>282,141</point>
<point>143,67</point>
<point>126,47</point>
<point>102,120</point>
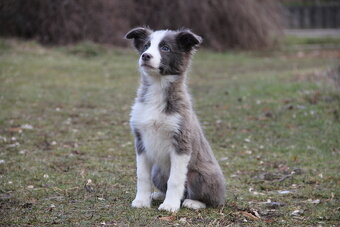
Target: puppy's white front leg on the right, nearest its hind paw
<point>176,182</point>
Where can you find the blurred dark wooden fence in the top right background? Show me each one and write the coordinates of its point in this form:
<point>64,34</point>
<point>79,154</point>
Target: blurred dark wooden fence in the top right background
<point>315,16</point>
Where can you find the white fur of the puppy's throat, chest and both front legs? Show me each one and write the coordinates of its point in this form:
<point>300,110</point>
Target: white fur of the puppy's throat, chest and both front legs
<point>157,129</point>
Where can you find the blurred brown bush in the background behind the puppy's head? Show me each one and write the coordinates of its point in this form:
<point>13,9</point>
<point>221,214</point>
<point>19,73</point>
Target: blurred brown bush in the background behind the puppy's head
<point>224,24</point>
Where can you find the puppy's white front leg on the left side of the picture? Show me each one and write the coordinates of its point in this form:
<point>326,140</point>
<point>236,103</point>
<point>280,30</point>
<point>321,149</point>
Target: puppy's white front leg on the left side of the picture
<point>144,184</point>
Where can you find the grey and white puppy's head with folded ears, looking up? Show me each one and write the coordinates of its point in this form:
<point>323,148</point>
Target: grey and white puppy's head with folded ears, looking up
<point>164,52</point>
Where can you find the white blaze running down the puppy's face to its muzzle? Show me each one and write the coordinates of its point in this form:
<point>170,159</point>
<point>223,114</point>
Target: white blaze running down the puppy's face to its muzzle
<point>153,50</point>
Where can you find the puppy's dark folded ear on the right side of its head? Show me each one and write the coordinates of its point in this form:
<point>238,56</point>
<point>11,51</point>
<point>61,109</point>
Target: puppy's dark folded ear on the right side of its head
<point>188,41</point>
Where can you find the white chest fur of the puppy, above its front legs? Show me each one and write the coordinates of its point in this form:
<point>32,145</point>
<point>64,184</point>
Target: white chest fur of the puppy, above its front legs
<point>156,127</point>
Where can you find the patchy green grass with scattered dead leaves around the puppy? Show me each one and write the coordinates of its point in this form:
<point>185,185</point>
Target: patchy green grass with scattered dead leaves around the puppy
<point>273,120</point>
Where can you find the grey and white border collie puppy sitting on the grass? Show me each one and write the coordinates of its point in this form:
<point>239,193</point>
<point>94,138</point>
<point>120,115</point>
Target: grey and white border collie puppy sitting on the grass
<point>172,152</point>
